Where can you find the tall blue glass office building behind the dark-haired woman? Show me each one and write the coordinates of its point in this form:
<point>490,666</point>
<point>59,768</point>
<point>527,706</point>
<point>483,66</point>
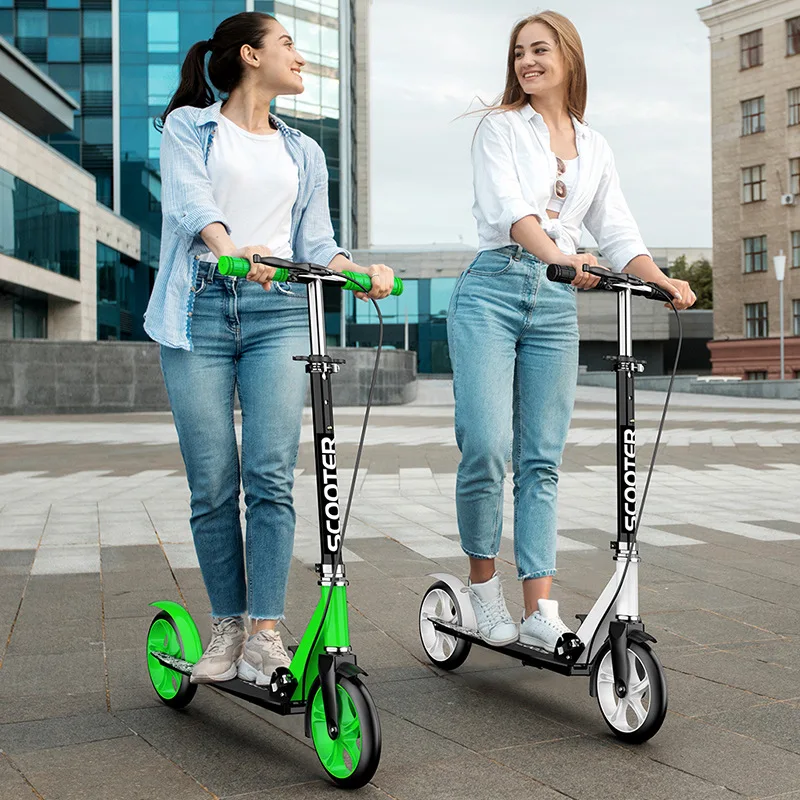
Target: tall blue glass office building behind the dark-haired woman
<point>121,62</point>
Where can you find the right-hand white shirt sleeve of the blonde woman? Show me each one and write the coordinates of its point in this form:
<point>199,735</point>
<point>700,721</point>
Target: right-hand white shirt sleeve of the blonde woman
<point>610,221</point>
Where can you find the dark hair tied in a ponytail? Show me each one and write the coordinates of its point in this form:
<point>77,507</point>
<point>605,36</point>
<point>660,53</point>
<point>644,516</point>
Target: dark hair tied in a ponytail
<point>225,67</point>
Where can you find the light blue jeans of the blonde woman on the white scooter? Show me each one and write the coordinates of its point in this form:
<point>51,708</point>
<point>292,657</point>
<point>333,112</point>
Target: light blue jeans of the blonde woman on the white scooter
<point>514,348</point>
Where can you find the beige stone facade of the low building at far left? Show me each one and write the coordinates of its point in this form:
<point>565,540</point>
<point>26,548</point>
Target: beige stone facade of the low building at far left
<point>72,304</point>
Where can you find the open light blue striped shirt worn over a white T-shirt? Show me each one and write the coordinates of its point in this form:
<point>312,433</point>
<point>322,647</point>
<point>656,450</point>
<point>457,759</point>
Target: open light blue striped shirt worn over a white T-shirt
<point>188,206</point>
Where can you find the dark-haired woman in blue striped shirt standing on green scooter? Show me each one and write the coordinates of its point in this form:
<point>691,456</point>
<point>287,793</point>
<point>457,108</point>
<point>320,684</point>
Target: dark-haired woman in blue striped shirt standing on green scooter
<point>237,181</point>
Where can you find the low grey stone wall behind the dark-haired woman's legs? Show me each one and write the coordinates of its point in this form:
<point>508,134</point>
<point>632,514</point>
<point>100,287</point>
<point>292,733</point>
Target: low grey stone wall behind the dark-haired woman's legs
<point>42,377</point>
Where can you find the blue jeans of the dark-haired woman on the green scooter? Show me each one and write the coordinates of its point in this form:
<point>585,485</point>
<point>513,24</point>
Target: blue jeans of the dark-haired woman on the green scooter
<point>244,339</point>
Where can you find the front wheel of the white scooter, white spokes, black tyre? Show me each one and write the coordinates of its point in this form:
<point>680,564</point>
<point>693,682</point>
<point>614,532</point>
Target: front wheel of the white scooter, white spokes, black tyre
<point>639,715</point>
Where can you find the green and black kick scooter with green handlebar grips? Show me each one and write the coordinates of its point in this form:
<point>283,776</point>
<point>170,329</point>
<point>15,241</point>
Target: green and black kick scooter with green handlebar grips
<point>323,681</point>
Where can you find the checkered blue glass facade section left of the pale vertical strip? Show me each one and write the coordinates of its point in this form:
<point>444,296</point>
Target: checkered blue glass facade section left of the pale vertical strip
<point>70,40</point>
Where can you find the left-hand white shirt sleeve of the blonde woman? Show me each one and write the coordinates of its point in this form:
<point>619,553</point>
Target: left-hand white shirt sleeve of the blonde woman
<point>498,193</point>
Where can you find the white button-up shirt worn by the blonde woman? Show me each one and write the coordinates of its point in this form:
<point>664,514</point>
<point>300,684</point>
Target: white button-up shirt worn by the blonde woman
<point>514,173</point>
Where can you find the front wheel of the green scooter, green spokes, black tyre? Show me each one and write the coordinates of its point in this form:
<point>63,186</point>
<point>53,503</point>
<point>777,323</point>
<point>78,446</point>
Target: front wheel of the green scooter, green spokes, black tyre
<point>352,758</point>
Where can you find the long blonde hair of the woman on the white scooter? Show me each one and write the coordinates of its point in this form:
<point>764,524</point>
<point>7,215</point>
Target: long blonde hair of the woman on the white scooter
<point>569,41</point>
